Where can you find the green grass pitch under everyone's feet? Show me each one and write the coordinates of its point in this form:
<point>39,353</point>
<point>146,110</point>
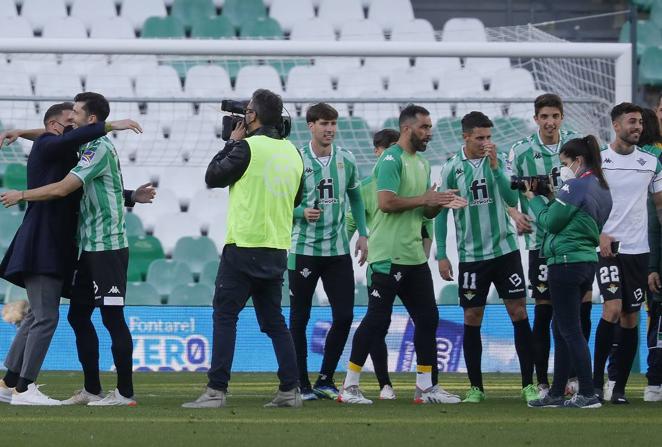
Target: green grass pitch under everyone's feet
<point>503,419</point>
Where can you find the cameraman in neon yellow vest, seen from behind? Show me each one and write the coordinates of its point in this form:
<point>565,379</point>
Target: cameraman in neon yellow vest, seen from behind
<point>265,172</point>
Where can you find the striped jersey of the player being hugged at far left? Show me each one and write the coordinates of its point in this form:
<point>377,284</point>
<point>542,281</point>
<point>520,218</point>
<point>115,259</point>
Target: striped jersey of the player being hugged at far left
<point>101,224</point>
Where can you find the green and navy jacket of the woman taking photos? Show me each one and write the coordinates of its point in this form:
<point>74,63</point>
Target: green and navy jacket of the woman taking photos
<point>573,221</point>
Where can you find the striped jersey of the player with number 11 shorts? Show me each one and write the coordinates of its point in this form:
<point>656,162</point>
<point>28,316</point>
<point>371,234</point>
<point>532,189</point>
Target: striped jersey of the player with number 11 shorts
<point>483,228</point>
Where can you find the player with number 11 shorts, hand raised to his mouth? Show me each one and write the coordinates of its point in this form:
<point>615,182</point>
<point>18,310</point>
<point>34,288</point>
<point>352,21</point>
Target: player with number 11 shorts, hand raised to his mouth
<point>486,257</point>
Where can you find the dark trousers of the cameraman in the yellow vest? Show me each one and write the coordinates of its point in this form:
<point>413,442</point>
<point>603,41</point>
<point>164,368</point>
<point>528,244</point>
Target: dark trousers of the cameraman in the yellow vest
<point>244,273</point>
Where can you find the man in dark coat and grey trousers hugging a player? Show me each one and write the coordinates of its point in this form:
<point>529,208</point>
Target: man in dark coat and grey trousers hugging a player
<point>42,255</point>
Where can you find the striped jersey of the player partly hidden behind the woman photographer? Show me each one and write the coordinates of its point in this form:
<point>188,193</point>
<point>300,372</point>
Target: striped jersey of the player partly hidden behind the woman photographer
<point>529,157</point>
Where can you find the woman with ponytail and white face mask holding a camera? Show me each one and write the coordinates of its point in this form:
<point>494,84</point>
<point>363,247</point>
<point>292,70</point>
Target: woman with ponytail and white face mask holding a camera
<point>572,224</point>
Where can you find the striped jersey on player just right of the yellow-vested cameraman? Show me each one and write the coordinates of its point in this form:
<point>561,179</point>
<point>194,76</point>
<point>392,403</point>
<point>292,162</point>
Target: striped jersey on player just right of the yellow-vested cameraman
<point>327,183</point>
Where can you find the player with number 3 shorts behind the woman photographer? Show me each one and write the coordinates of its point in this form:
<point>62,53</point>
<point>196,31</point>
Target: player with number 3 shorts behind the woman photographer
<point>538,155</point>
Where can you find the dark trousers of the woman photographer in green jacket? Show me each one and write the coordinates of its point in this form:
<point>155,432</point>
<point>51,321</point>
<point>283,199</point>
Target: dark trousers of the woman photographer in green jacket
<point>566,283</point>
